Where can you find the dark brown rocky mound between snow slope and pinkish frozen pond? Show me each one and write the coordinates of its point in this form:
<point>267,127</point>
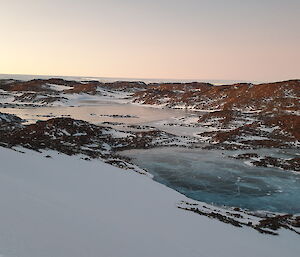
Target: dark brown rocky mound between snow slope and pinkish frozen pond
<point>71,137</point>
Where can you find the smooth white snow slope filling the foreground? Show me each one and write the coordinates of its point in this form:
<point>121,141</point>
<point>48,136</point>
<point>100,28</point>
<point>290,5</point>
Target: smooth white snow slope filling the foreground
<point>67,207</point>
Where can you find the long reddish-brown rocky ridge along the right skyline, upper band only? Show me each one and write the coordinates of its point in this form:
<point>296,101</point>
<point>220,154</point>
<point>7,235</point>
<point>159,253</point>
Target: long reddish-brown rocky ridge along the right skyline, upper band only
<point>267,97</point>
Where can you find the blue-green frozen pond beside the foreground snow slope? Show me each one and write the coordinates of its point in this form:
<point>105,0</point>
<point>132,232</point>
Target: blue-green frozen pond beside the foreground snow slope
<point>211,177</point>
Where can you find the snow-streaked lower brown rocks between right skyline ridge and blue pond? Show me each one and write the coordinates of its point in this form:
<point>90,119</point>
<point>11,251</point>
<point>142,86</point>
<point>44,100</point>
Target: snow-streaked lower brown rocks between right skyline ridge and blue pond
<point>267,131</point>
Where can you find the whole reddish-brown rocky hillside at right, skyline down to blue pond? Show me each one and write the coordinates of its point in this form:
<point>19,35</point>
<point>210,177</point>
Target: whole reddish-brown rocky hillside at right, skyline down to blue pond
<point>239,116</point>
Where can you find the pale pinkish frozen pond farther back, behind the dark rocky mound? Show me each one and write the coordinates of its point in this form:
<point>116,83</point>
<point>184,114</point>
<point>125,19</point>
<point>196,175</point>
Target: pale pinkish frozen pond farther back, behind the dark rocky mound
<point>98,112</point>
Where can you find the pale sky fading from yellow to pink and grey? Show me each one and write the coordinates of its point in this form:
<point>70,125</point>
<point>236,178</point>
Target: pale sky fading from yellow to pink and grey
<point>254,40</point>
